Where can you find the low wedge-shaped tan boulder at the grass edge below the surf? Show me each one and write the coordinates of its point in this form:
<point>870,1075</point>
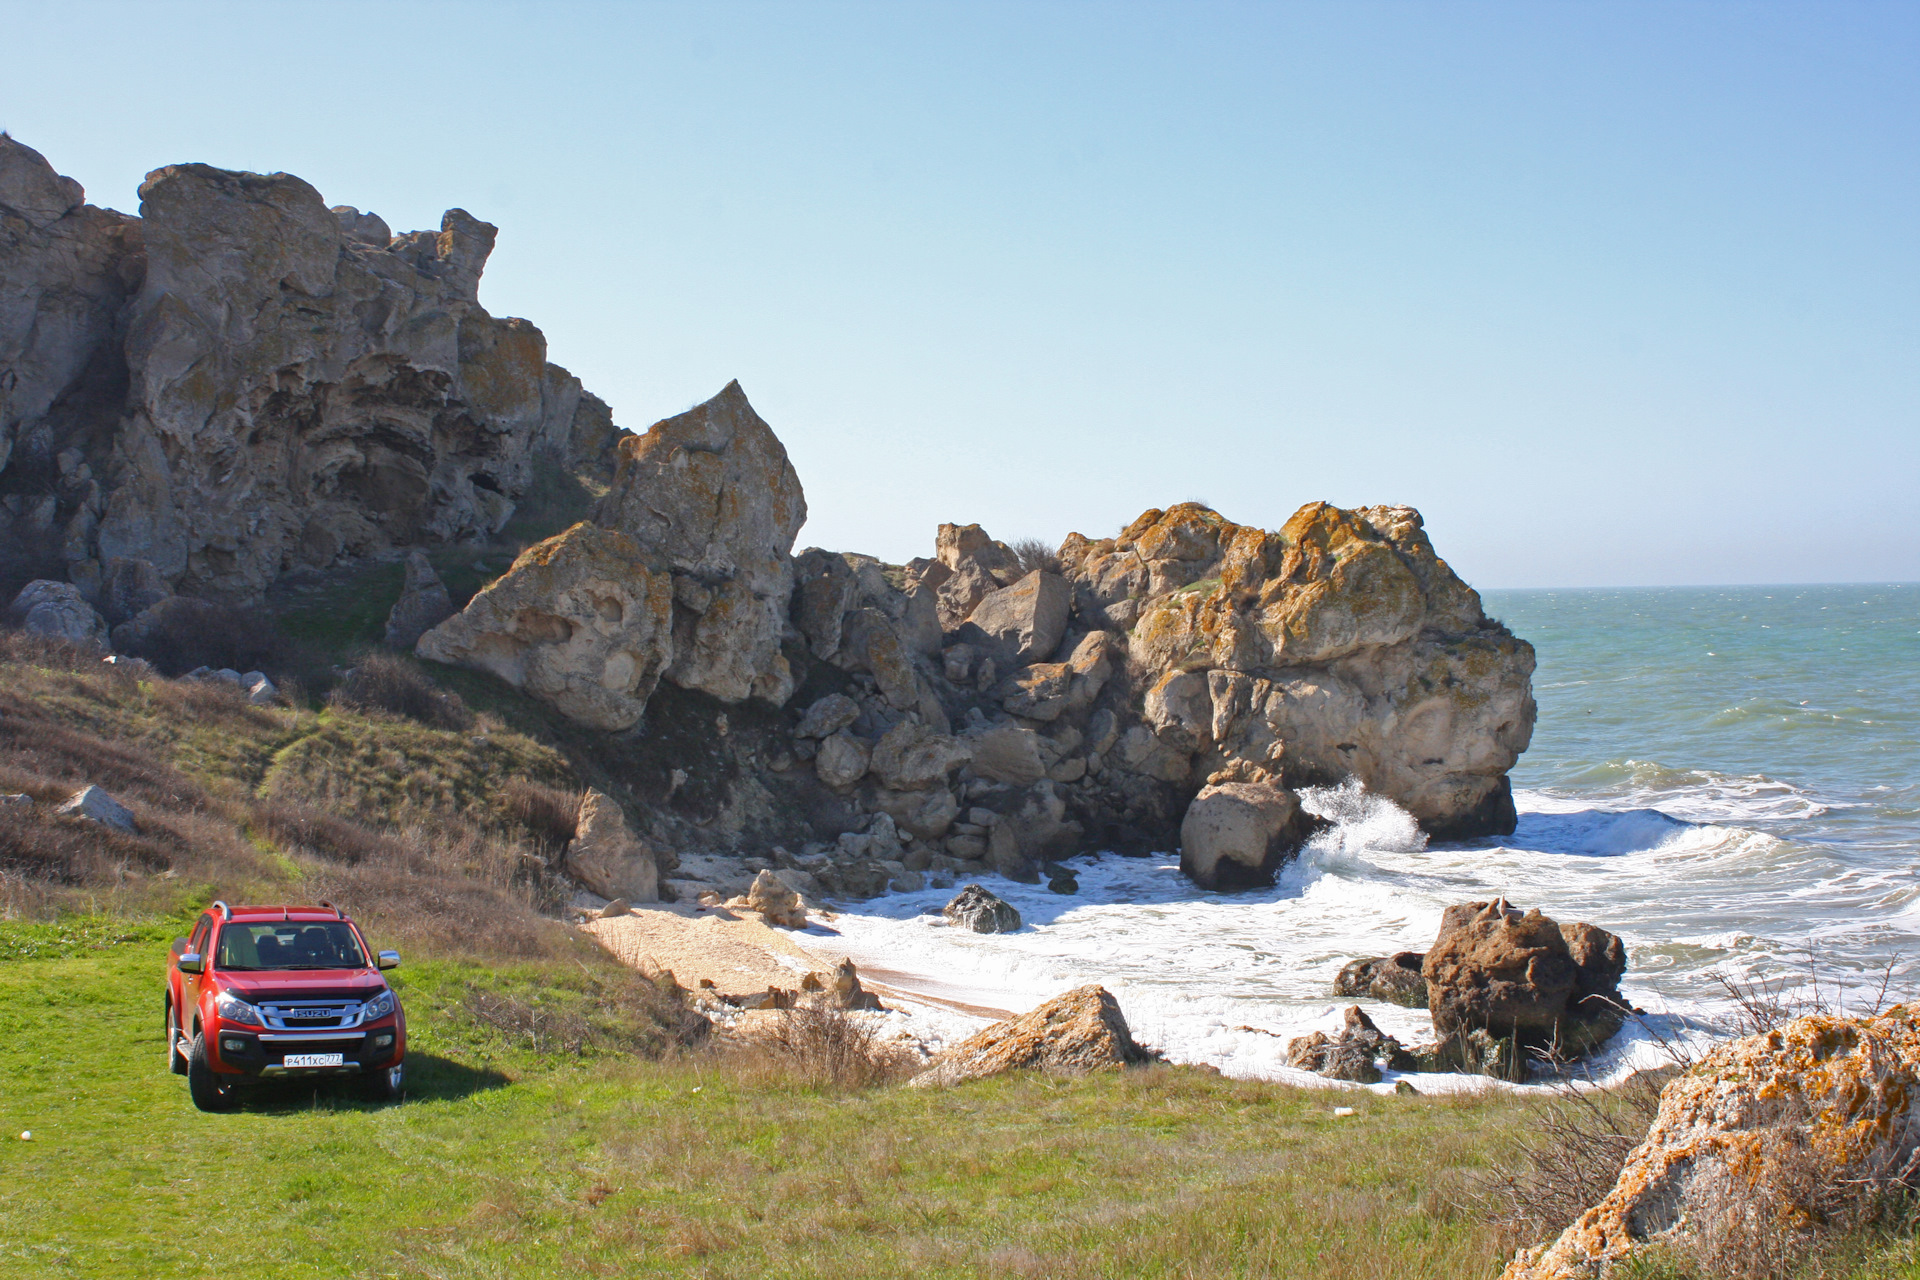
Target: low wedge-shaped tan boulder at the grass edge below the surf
<point>1070,1035</point>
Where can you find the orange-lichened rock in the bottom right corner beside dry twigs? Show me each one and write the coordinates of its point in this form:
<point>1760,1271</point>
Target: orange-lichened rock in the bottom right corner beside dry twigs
<point>1765,1137</point>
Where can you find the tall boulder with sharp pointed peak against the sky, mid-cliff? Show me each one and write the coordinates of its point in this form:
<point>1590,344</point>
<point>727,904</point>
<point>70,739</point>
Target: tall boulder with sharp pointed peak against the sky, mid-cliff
<point>713,496</point>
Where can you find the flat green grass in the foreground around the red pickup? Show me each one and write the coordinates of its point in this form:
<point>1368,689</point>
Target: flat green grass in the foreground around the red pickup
<point>504,1164</point>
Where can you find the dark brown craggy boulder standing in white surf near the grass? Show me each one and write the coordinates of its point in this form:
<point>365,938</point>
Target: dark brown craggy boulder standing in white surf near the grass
<point>1514,976</point>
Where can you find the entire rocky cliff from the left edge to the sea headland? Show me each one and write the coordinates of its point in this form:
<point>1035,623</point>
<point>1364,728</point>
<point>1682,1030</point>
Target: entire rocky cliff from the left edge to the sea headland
<point>245,383</point>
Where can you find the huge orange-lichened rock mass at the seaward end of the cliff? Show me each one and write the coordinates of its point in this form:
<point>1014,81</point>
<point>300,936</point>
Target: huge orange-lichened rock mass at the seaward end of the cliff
<point>1335,648</point>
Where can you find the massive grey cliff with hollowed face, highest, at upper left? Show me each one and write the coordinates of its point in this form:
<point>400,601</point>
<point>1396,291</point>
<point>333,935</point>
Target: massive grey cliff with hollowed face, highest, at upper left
<point>245,383</point>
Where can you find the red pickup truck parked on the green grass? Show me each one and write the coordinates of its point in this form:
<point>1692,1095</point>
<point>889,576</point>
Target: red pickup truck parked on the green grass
<point>276,993</point>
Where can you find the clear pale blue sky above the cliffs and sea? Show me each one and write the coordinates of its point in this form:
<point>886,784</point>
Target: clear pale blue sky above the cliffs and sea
<point>1612,293</point>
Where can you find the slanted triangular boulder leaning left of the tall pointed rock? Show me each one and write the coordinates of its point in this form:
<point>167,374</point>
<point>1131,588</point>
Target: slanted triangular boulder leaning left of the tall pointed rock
<point>581,623</point>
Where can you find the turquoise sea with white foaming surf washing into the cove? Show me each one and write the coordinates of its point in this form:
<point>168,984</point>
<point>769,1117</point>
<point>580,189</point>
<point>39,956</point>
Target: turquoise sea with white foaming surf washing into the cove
<point>1729,778</point>
